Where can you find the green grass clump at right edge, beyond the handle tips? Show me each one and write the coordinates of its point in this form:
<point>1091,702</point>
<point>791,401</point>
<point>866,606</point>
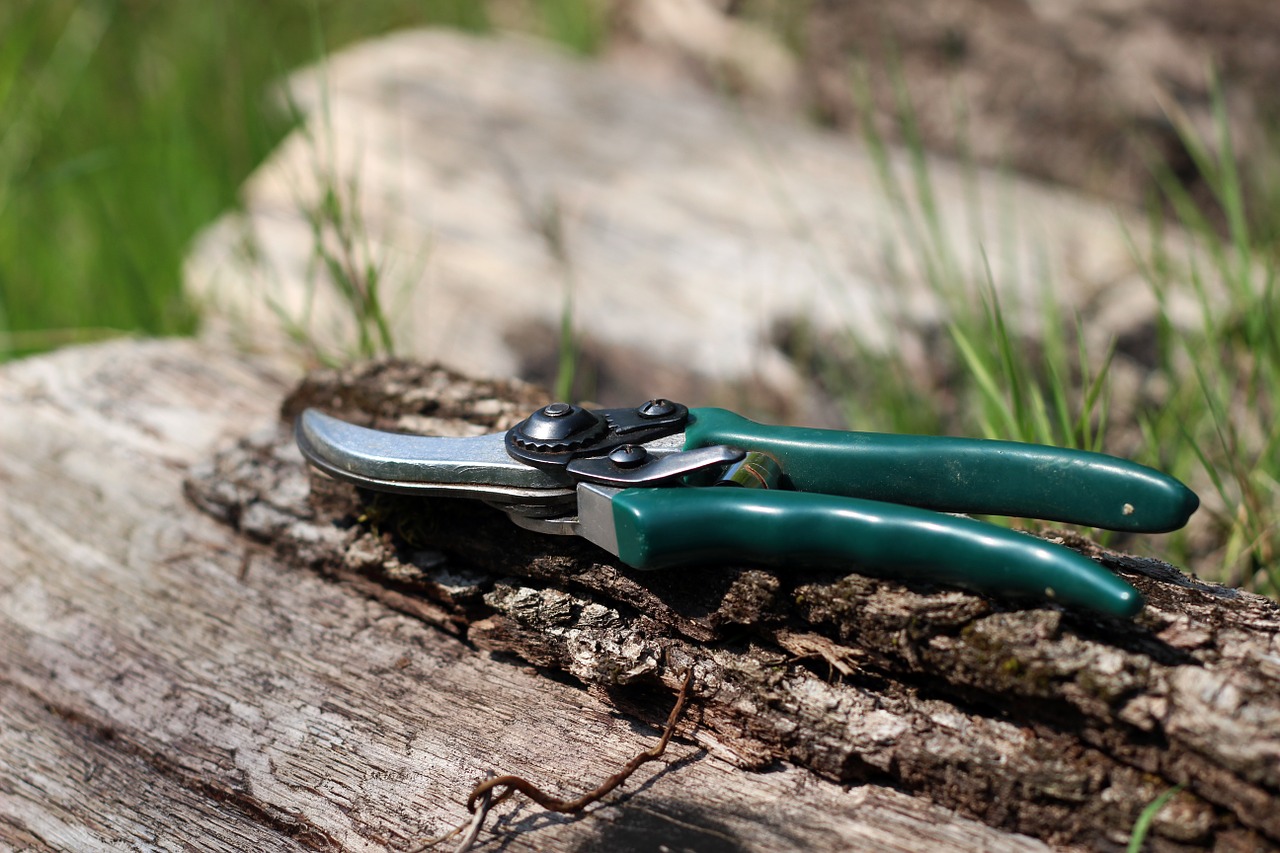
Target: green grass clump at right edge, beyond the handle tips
<point>1220,416</point>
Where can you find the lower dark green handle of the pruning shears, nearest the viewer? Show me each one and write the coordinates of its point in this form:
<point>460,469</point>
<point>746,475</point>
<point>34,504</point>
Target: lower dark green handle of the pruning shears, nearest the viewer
<point>662,528</point>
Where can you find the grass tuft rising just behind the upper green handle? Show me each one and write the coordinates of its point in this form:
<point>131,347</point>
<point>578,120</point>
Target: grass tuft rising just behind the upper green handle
<point>986,377</point>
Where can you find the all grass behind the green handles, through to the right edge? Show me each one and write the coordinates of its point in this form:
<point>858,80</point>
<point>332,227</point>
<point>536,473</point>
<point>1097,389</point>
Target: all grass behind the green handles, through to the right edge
<point>1208,407</point>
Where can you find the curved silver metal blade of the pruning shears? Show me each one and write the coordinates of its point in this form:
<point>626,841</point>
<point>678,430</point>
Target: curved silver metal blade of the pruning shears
<point>476,467</point>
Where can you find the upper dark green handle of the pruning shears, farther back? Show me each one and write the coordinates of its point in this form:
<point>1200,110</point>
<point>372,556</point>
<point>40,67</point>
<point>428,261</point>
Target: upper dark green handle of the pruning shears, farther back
<point>961,475</point>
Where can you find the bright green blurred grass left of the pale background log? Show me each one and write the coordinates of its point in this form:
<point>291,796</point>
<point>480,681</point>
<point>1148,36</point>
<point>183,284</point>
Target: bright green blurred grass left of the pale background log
<point>126,126</point>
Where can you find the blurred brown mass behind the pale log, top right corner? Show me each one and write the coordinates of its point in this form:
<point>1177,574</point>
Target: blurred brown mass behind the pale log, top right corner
<point>1080,92</point>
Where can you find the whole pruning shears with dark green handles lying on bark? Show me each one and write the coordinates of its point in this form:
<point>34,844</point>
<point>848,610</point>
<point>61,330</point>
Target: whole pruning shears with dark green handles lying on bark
<point>664,486</point>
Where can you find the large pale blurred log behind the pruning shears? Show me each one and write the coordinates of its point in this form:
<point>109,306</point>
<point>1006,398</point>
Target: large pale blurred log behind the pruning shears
<point>496,186</point>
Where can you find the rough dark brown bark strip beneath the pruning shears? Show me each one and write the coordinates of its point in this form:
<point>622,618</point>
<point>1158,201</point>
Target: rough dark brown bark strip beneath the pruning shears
<point>1035,719</point>
